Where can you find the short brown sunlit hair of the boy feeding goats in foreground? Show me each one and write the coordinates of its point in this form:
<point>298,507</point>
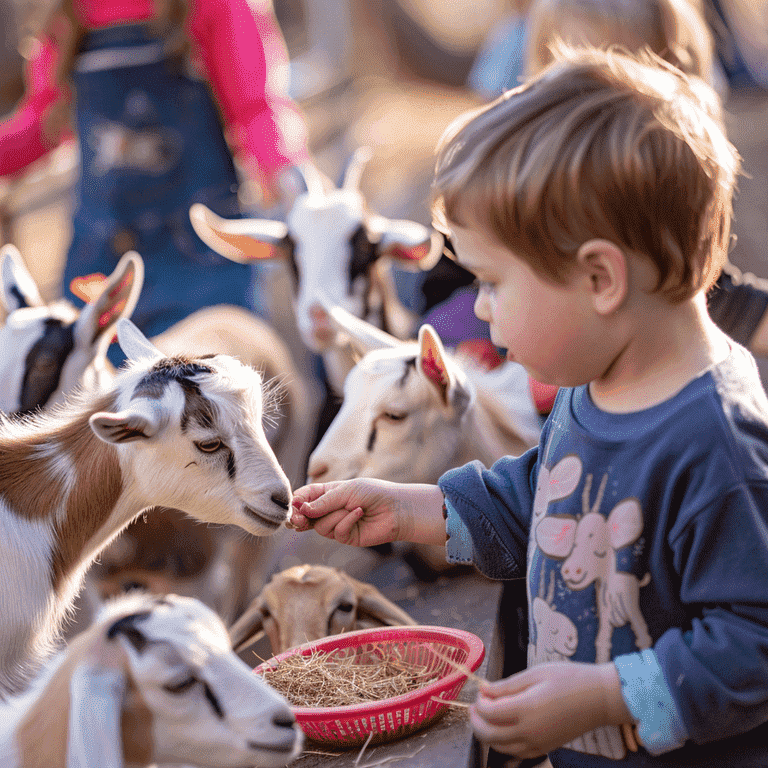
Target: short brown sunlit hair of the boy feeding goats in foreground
<point>602,144</point>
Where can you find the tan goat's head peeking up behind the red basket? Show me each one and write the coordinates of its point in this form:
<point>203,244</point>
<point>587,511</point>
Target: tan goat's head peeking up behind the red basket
<point>308,602</point>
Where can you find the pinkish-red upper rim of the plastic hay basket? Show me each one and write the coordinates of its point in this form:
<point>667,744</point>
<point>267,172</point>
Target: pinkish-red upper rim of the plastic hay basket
<point>475,656</point>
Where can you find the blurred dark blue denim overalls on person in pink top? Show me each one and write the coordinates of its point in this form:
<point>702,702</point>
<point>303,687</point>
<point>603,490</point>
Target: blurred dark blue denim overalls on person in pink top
<point>151,145</point>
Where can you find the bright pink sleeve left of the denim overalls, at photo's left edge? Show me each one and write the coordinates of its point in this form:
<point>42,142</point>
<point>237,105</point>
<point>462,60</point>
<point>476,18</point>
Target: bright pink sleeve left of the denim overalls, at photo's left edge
<point>22,135</point>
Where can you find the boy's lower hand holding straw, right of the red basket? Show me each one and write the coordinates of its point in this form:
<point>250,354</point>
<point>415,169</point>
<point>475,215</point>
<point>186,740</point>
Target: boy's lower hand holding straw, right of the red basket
<point>547,706</point>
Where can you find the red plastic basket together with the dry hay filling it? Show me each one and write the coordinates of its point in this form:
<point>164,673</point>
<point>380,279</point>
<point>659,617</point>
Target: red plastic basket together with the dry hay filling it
<point>374,684</point>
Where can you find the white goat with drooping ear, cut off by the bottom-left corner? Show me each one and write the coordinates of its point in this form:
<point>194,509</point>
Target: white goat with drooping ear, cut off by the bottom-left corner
<point>154,679</point>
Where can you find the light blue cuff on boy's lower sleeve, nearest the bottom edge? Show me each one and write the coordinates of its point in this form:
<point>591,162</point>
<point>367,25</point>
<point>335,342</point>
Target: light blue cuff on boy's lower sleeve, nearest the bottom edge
<point>650,702</point>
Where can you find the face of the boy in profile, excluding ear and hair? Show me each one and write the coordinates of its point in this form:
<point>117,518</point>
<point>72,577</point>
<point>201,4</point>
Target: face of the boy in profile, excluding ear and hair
<point>548,328</point>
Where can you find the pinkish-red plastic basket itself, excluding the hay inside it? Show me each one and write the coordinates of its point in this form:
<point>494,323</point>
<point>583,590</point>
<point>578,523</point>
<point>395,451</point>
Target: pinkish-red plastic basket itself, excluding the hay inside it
<point>399,716</point>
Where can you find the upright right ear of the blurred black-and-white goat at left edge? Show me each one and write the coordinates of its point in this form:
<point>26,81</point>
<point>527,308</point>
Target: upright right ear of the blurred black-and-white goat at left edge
<point>117,299</point>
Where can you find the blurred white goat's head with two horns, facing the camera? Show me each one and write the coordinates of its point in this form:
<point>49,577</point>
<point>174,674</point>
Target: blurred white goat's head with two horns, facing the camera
<point>339,252</point>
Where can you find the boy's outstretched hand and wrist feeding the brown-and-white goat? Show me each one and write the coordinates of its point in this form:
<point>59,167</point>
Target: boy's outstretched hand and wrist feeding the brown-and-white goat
<point>365,512</point>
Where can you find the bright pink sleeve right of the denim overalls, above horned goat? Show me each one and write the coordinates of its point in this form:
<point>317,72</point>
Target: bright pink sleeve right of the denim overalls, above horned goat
<point>245,60</point>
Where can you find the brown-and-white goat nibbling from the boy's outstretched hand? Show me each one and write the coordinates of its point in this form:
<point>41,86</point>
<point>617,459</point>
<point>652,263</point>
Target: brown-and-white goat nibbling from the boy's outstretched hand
<point>184,433</point>
